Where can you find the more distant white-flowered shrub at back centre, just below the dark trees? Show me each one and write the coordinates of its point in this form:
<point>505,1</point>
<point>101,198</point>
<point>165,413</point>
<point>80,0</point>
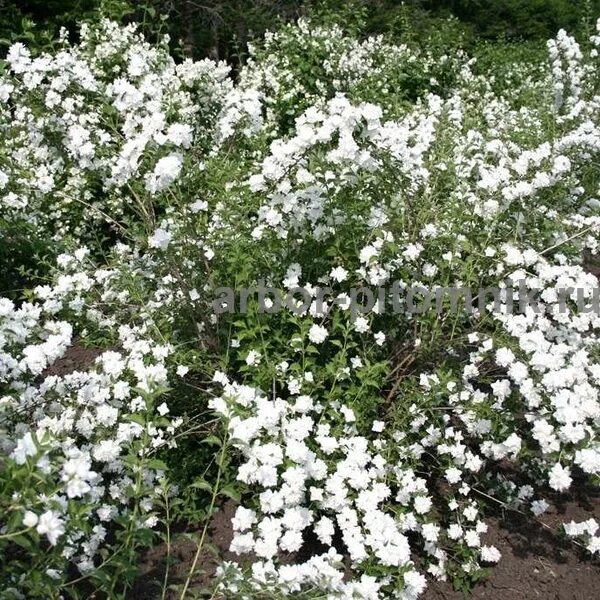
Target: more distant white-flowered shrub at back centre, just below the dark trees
<point>304,64</point>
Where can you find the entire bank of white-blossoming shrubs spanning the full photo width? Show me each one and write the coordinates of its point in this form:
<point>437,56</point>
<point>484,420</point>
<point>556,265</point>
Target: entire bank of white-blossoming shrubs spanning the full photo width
<point>371,445</point>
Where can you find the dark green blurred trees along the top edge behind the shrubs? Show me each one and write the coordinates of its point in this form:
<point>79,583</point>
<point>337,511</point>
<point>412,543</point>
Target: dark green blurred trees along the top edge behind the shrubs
<point>221,29</point>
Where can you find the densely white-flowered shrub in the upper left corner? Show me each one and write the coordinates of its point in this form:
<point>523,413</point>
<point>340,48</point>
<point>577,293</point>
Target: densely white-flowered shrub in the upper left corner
<point>98,129</point>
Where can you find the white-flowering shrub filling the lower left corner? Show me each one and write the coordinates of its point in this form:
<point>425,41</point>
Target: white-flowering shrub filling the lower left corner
<point>79,479</point>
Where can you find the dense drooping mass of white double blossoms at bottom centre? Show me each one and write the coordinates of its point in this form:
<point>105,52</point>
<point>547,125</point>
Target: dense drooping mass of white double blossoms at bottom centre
<point>316,472</point>
